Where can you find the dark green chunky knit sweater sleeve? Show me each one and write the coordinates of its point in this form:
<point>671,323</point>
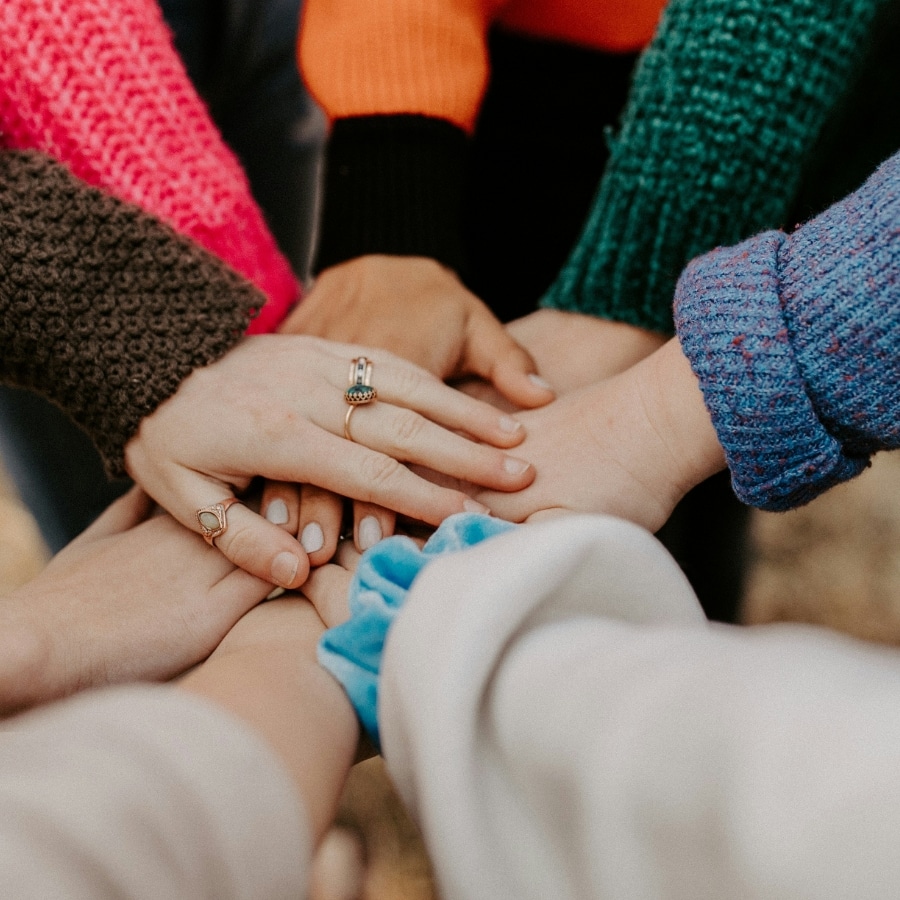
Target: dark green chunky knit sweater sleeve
<point>726,105</point>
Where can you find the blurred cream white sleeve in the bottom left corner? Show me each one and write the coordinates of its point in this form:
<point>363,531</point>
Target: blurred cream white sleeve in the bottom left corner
<point>145,792</point>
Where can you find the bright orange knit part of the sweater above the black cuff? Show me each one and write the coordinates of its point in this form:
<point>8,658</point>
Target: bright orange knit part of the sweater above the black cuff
<point>429,57</point>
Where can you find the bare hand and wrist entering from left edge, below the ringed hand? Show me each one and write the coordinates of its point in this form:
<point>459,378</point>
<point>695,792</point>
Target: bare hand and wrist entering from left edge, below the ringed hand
<point>130,599</point>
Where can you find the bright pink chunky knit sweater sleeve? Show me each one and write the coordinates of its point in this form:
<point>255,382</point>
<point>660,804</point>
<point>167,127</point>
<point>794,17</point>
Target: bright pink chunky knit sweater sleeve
<point>100,87</point>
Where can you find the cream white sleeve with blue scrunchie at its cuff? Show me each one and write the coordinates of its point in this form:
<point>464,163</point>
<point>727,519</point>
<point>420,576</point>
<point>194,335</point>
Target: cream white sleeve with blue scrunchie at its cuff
<point>564,723</point>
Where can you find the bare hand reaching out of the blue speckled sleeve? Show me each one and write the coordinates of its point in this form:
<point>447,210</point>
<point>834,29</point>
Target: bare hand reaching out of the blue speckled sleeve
<point>631,446</point>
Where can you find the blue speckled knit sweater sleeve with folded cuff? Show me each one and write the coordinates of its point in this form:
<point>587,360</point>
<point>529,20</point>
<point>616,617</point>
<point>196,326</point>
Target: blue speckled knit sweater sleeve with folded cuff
<point>796,342</point>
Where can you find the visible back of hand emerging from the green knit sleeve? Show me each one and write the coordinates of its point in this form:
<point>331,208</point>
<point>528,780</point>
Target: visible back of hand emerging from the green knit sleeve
<point>572,350</point>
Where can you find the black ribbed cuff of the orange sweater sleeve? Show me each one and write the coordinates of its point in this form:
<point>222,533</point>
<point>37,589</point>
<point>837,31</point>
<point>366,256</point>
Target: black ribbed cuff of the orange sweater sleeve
<point>393,185</point>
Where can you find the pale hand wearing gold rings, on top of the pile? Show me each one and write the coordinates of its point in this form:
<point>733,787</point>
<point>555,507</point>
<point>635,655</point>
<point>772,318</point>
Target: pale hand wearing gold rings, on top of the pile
<point>274,407</point>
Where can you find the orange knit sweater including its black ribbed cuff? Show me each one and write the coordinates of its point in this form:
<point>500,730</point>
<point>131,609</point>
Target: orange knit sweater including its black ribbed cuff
<point>402,82</point>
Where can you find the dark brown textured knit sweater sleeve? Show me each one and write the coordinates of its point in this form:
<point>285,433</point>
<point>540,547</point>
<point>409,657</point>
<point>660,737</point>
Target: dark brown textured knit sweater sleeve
<point>104,309</point>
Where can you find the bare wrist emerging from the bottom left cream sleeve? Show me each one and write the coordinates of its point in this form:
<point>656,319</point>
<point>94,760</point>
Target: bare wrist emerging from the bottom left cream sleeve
<point>277,688</point>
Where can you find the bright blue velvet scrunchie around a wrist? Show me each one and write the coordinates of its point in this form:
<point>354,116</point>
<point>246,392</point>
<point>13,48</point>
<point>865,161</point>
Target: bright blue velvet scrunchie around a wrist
<point>352,651</point>
